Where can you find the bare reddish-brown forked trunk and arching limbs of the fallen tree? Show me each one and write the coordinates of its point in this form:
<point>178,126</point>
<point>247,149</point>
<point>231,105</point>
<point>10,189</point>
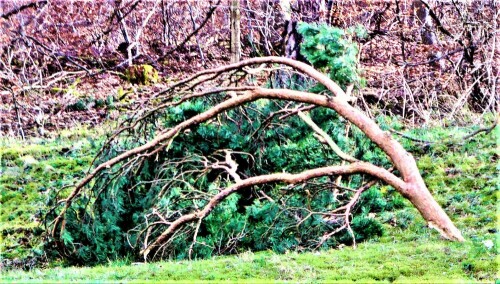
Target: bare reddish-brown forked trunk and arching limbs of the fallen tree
<point>409,184</point>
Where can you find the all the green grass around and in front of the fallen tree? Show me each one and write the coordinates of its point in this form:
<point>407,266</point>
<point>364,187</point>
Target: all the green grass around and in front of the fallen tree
<point>462,176</point>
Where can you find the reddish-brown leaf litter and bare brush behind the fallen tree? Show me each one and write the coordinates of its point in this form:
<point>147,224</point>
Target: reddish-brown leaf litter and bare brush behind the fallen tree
<point>60,61</point>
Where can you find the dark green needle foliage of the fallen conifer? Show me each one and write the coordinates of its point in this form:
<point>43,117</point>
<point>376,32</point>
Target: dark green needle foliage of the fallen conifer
<point>112,219</point>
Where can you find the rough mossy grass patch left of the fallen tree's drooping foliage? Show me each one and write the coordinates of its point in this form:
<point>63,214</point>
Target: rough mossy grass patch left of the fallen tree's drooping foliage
<point>31,171</point>
